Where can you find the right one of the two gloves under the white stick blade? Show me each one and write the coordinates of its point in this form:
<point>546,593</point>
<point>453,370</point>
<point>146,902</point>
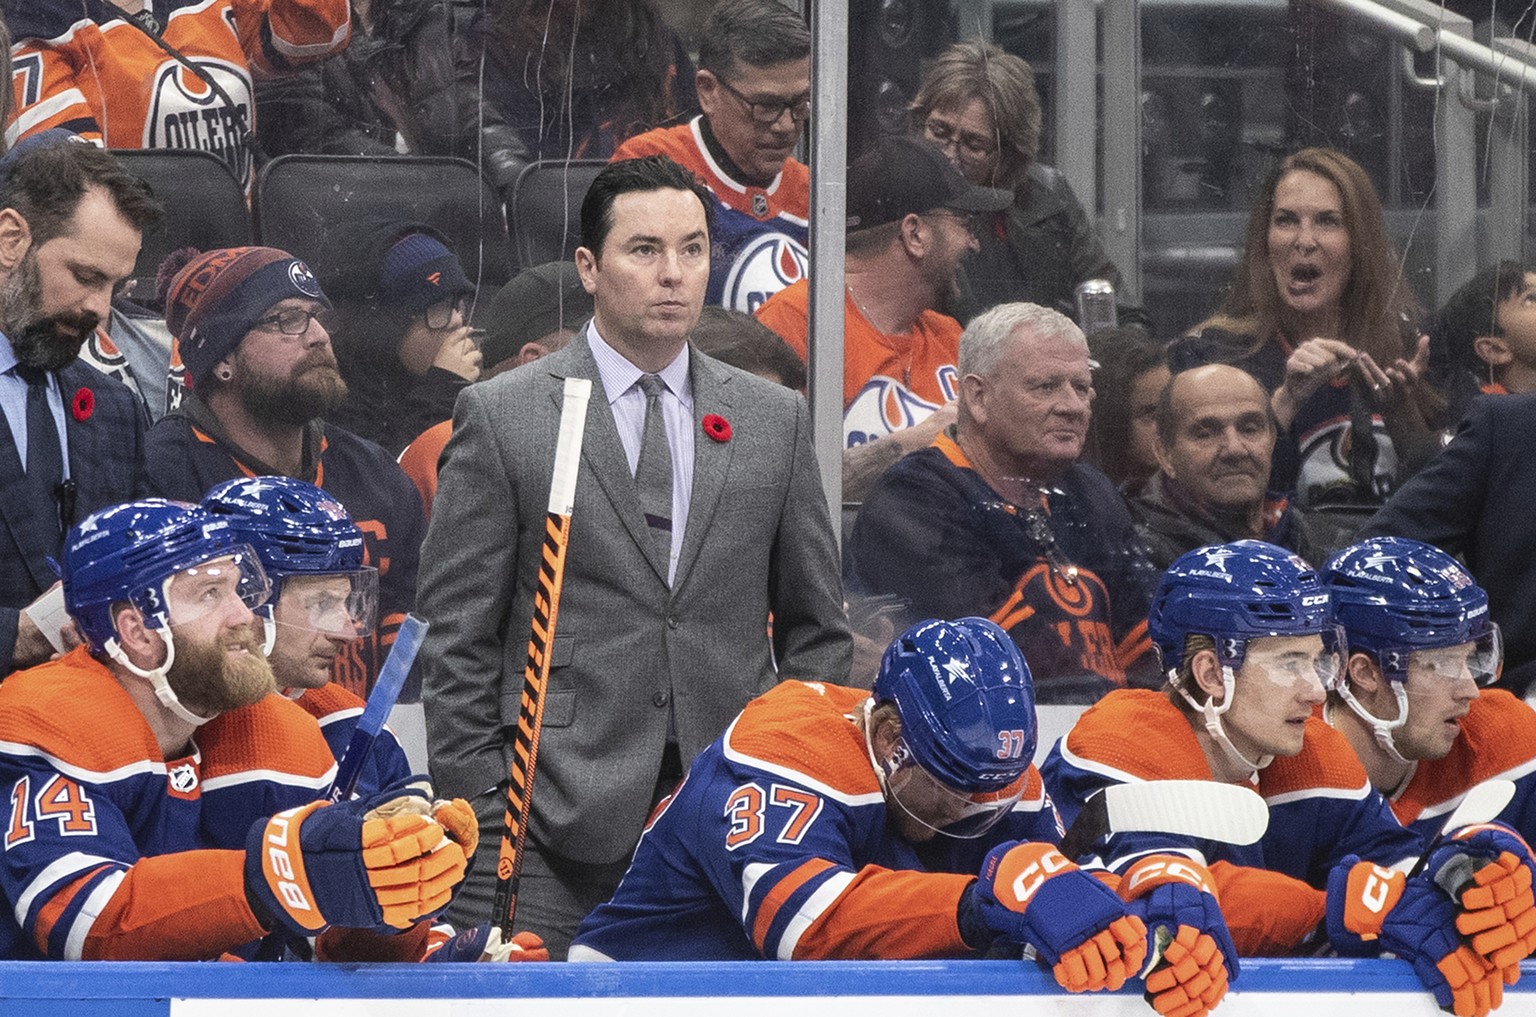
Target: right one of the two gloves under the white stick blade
<point>1191,955</point>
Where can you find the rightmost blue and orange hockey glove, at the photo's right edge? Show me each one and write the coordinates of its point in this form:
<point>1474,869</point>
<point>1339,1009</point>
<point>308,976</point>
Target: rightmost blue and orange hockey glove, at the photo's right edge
<point>1489,869</point>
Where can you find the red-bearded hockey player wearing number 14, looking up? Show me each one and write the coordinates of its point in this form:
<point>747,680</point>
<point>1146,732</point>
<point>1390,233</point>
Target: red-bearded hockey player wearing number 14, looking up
<point>162,804</point>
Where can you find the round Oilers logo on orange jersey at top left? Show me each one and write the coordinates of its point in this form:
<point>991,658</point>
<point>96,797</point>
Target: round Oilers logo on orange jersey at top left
<point>185,113</point>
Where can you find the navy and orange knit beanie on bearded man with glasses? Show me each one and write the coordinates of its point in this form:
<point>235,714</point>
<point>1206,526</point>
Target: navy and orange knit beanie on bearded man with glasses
<point>220,296</point>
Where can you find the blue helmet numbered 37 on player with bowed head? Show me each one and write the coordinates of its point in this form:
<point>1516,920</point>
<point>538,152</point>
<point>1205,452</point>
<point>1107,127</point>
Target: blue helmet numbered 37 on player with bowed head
<point>967,703</point>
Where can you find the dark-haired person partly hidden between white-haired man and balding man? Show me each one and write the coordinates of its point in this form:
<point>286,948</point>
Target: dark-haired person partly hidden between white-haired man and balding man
<point>1122,436</point>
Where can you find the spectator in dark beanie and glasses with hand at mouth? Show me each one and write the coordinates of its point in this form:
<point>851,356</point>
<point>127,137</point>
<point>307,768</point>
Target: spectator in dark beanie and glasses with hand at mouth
<point>403,339</point>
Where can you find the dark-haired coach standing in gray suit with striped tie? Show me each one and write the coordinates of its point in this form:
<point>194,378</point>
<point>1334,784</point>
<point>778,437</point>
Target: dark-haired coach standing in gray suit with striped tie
<point>700,514</point>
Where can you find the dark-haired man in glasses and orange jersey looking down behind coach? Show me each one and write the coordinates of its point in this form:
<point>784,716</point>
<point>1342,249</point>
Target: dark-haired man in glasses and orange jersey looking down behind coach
<point>755,88</point>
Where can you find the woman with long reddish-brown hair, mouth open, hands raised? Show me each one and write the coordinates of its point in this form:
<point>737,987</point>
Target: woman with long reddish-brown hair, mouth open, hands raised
<point>1322,316</point>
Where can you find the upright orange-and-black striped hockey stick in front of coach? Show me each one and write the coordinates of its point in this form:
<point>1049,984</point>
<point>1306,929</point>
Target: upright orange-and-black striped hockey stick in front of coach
<point>541,640</point>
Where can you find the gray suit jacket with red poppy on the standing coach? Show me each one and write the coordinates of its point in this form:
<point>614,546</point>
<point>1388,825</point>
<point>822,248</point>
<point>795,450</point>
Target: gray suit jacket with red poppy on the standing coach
<point>627,648</point>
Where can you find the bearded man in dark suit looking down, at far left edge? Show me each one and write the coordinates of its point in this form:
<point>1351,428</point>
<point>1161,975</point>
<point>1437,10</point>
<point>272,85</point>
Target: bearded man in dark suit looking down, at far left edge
<point>71,439</point>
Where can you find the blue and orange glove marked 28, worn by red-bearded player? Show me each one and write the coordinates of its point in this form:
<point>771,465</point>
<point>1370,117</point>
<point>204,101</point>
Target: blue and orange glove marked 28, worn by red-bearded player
<point>379,861</point>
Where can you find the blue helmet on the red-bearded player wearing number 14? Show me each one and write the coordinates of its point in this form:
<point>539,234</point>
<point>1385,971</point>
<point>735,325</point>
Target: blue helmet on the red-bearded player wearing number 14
<point>131,552</point>
